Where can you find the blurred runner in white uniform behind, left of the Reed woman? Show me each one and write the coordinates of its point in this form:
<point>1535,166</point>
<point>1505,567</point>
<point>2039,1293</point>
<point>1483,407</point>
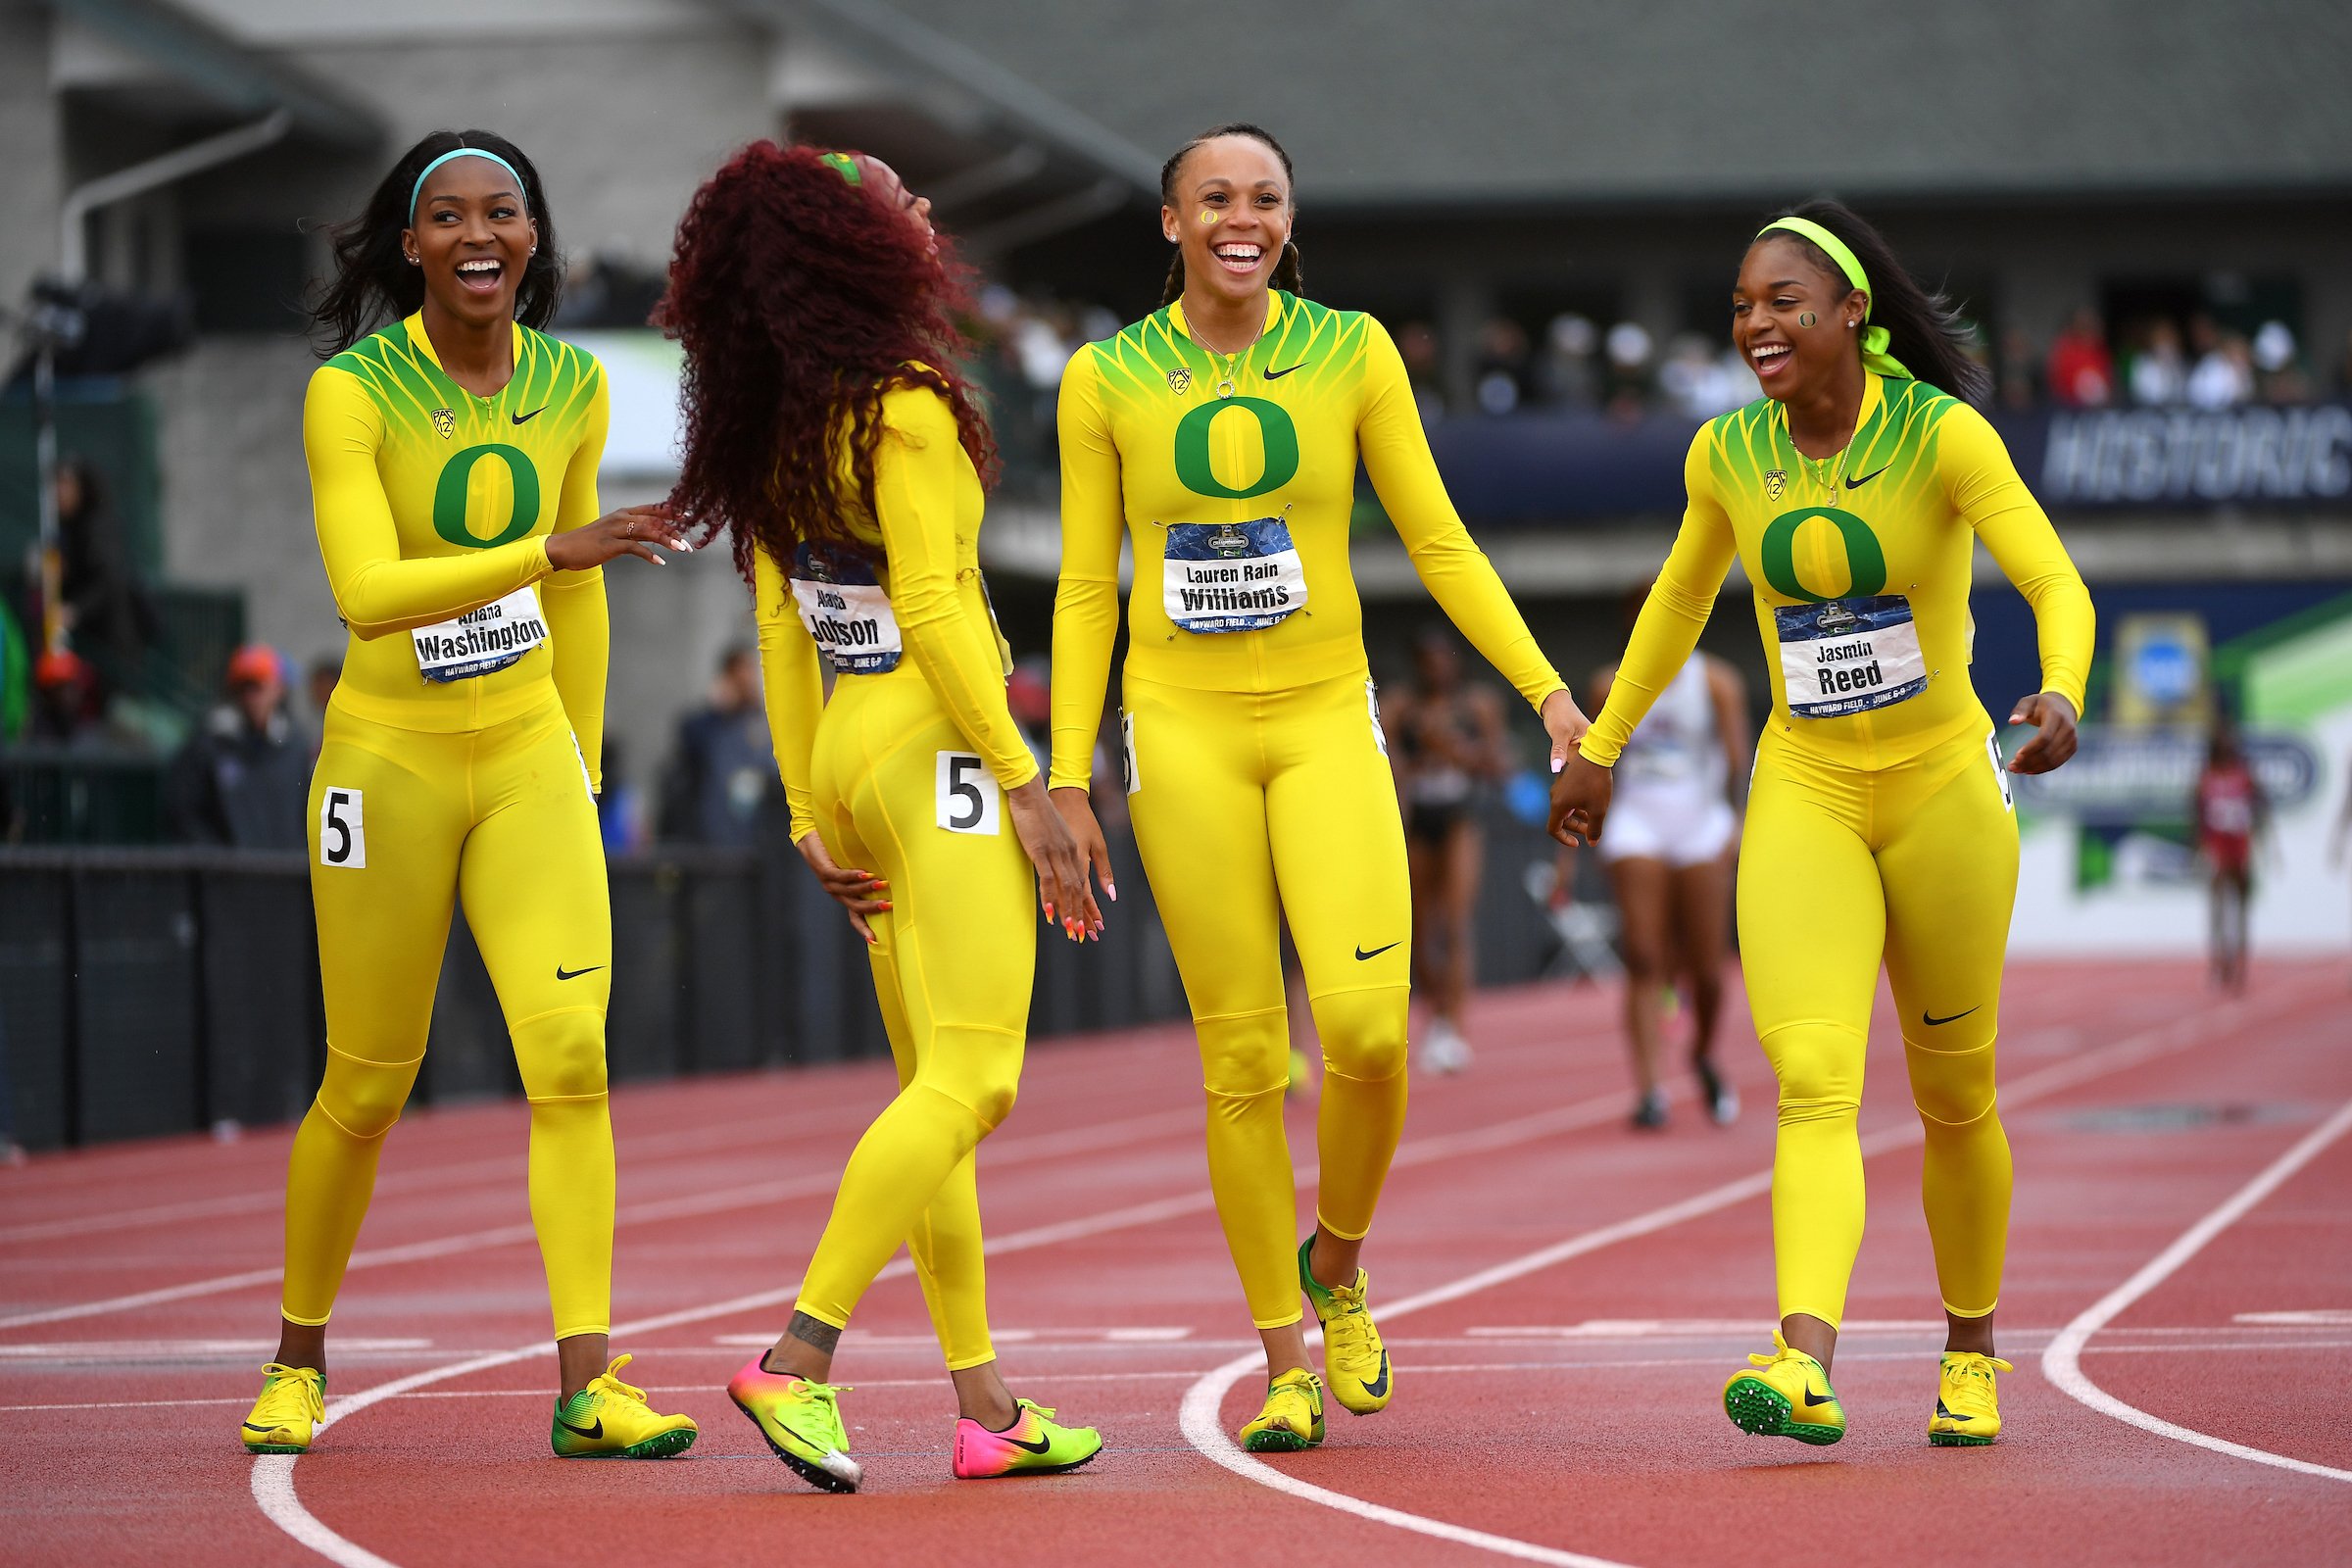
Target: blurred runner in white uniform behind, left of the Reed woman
<point>1669,855</point>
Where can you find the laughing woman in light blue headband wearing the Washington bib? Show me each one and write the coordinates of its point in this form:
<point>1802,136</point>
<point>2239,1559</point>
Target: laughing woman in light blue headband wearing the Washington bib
<point>453,471</point>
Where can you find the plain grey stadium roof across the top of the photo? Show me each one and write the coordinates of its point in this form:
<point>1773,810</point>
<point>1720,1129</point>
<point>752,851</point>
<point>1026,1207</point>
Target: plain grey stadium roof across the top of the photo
<point>1553,105</point>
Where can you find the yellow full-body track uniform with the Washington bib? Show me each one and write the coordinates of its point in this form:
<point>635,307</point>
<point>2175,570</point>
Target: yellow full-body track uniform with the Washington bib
<point>453,768</point>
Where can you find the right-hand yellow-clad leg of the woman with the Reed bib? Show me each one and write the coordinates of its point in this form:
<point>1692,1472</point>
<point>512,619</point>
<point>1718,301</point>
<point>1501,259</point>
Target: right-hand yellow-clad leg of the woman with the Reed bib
<point>1951,873</point>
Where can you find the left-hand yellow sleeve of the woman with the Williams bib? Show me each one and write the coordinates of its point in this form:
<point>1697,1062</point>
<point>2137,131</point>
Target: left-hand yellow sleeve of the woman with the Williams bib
<point>1088,598</point>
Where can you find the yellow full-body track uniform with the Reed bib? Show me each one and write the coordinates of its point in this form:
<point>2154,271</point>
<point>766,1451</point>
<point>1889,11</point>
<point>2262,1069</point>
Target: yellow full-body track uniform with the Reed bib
<point>1880,822</point>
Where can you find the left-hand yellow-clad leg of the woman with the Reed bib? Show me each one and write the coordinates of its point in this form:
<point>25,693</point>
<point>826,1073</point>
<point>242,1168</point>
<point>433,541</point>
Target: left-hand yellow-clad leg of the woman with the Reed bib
<point>1812,930</point>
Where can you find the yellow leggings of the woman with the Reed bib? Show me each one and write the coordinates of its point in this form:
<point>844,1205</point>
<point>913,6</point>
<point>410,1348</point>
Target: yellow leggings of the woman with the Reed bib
<point>1916,864</point>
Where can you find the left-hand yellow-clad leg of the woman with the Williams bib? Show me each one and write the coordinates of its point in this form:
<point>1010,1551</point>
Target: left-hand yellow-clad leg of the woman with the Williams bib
<point>1201,824</point>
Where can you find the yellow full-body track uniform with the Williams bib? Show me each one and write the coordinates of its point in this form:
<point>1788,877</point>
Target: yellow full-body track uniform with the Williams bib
<point>1255,756</point>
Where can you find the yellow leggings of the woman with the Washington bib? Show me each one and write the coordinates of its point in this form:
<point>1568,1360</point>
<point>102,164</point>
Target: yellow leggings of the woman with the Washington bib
<point>403,824</point>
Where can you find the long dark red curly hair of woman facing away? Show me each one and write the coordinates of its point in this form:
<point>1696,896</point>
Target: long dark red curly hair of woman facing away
<point>801,302</point>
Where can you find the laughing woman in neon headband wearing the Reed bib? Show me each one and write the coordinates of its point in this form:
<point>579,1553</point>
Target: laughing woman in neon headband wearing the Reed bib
<point>1878,822</point>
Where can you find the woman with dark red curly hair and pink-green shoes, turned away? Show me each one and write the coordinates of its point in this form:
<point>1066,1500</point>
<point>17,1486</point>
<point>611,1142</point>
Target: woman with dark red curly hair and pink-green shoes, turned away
<point>846,462</point>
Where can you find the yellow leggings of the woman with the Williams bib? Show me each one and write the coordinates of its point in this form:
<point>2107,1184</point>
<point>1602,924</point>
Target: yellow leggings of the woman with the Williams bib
<point>1250,808</point>
